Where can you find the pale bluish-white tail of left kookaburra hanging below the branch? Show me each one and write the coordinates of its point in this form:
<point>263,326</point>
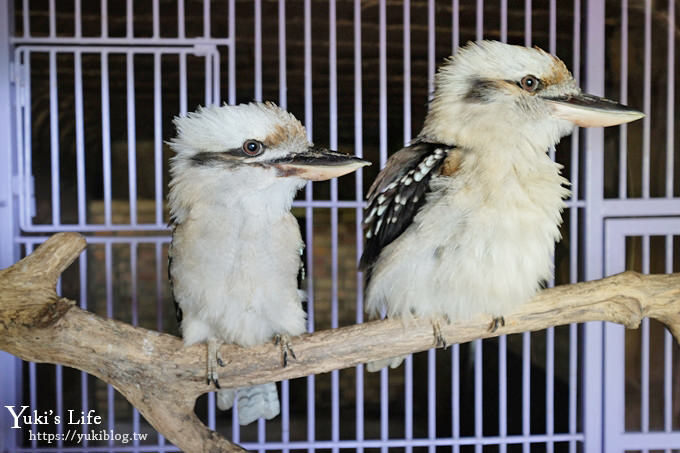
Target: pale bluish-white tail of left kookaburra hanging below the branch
<point>252,402</point>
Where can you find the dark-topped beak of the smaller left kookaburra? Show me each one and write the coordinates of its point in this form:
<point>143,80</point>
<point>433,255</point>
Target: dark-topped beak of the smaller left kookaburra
<point>318,164</point>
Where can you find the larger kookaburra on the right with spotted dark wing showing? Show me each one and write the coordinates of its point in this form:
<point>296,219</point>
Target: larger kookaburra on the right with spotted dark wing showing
<point>464,220</point>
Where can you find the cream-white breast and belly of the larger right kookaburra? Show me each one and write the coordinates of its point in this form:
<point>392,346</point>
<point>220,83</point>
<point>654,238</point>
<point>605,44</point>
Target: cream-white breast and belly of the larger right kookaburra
<point>482,243</point>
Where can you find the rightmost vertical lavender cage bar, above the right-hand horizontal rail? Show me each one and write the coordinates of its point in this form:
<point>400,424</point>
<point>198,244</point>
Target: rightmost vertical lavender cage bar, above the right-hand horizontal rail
<point>670,102</point>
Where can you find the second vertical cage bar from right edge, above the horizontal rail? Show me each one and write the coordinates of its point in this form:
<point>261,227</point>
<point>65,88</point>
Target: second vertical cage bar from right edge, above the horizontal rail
<point>647,100</point>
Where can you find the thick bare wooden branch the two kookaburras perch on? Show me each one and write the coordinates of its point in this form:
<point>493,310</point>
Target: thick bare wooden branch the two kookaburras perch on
<point>162,379</point>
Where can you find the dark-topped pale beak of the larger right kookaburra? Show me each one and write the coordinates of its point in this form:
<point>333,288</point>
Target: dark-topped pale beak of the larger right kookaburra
<point>586,110</point>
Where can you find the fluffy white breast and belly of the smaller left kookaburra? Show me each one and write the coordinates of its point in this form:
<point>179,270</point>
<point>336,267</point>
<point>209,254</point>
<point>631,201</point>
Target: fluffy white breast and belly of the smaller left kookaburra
<point>235,277</point>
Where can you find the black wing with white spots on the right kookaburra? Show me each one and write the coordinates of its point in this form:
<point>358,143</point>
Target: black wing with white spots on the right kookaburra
<point>397,194</point>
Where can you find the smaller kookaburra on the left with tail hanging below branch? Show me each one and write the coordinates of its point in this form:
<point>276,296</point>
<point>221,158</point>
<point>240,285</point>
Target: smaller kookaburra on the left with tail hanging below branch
<point>236,248</point>
